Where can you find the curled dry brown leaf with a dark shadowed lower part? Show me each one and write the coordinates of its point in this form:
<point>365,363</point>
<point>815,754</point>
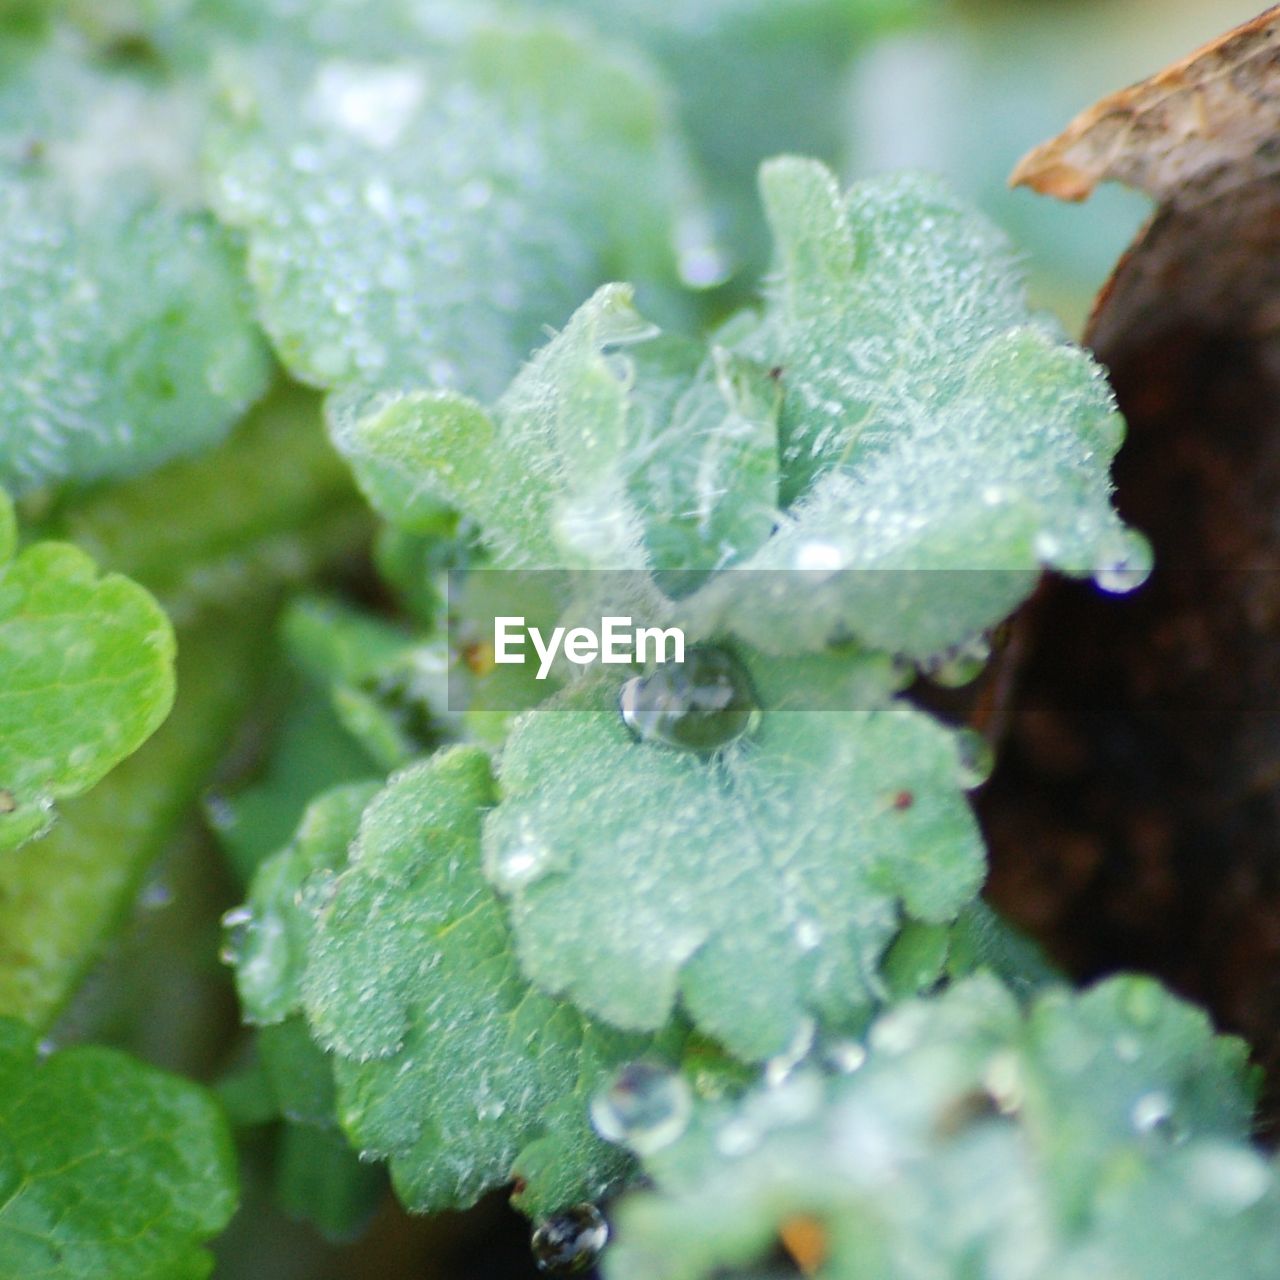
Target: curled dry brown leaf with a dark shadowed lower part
<point>1135,821</point>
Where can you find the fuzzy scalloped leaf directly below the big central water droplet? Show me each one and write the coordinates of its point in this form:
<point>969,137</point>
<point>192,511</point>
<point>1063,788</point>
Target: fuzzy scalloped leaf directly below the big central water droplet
<point>760,885</point>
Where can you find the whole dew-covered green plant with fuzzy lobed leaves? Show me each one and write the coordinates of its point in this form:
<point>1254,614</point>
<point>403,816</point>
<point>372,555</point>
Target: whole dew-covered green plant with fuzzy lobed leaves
<point>697,949</point>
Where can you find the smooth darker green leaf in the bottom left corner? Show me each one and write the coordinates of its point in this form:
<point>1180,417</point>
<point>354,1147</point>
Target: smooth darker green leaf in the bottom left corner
<point>108,1168</point>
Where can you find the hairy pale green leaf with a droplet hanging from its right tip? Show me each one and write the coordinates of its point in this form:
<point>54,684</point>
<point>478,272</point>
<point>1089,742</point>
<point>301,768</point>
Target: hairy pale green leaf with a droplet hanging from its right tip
<point>940,444</point>
